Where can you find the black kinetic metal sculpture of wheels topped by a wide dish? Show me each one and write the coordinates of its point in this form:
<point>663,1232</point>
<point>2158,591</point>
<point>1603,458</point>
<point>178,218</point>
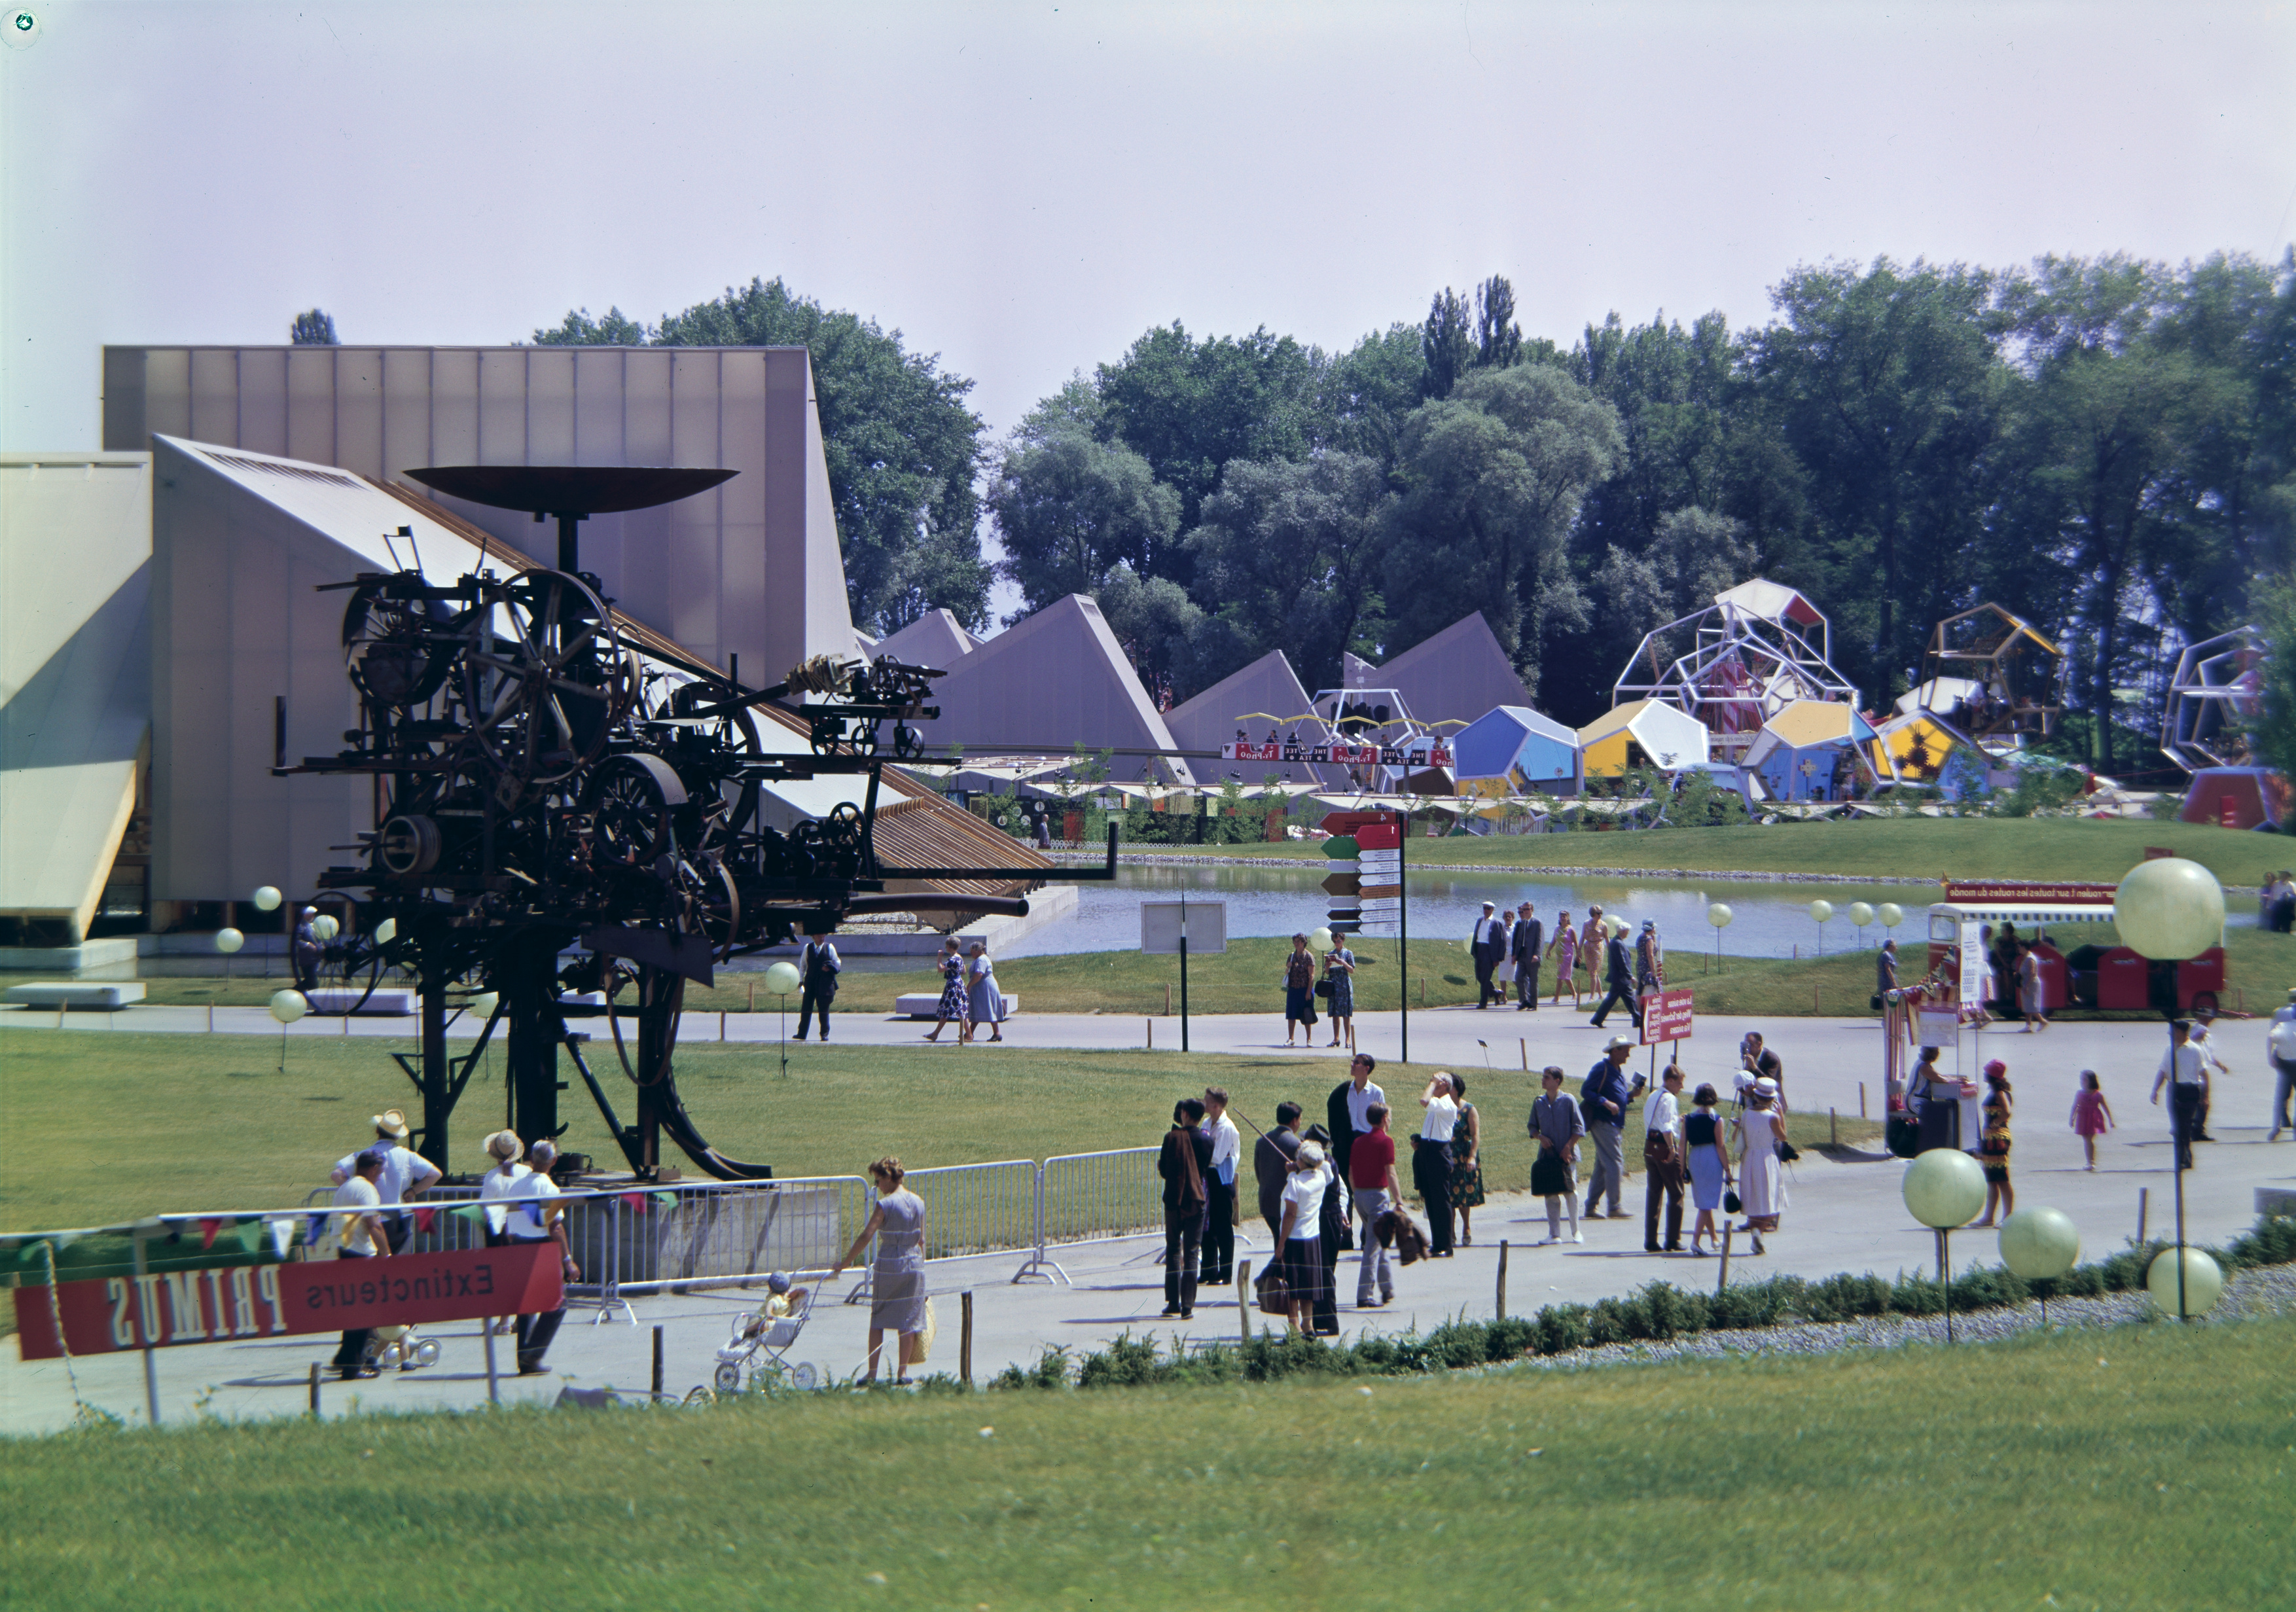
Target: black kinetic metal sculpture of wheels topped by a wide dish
<point>543,782</point>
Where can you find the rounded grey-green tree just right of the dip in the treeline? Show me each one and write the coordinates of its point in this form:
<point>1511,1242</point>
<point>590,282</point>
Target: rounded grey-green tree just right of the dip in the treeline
<point>1071,509</point>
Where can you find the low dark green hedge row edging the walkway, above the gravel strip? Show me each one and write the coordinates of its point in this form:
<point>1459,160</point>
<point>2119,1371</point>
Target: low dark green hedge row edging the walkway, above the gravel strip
<point>1652,1315</point>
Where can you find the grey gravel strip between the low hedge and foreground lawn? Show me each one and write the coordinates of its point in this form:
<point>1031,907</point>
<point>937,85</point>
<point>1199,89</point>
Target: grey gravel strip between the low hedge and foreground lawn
<point>2265,1292</point>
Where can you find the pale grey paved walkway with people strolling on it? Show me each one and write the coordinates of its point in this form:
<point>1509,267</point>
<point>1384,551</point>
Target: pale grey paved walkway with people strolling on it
<point>1843,1214</point>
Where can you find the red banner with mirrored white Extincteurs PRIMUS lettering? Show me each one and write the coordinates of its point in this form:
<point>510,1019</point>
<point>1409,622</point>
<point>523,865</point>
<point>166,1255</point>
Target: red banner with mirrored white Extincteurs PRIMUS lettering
<point>267,1301</point>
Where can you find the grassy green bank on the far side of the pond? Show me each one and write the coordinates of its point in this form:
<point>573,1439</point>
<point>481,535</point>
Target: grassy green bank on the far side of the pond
<point>1898,848</point>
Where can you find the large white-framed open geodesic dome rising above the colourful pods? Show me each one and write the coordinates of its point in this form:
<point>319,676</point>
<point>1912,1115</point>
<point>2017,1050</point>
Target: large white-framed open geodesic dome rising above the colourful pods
<point>1739,662</point>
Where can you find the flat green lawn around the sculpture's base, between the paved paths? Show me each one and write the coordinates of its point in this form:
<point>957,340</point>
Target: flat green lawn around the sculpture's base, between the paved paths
<point>114,1124</point>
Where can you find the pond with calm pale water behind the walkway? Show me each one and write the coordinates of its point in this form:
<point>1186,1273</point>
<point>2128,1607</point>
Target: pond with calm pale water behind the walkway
<point>1769,920</point>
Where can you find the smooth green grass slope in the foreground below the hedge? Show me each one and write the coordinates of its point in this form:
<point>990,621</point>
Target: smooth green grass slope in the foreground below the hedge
<point>2139,1468</point>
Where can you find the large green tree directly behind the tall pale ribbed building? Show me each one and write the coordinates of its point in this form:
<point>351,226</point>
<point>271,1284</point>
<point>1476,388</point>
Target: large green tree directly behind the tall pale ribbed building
<point>903,451</point>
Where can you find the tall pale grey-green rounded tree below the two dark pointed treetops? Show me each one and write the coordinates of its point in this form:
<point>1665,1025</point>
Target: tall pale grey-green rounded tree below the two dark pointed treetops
<point>1494,479</point>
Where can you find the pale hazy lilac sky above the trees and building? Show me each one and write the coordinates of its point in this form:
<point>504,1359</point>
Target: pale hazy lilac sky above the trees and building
<point>1023,189</point>
